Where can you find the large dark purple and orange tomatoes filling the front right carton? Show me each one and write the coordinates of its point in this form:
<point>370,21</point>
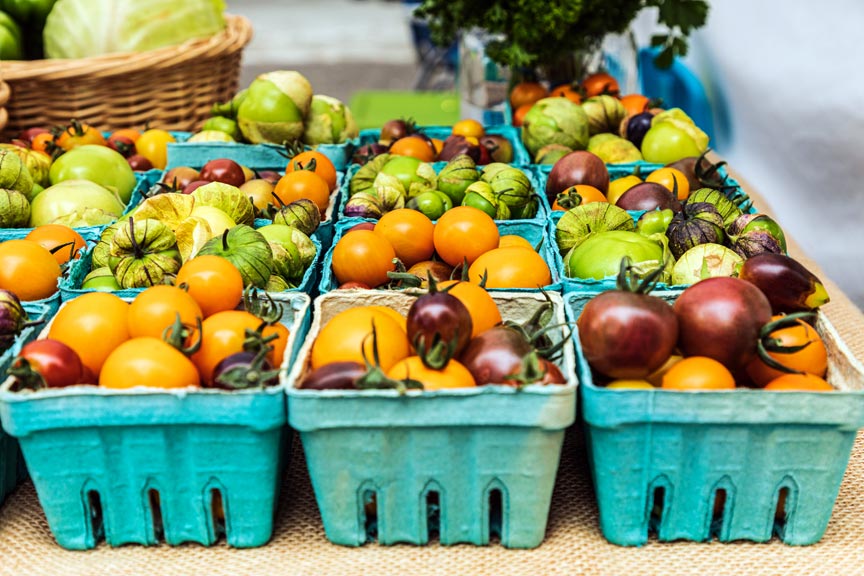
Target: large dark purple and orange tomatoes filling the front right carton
<point>719,334</point>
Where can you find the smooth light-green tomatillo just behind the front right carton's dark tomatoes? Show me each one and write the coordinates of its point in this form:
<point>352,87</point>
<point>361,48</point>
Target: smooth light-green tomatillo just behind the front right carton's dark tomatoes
<point>599,256</point>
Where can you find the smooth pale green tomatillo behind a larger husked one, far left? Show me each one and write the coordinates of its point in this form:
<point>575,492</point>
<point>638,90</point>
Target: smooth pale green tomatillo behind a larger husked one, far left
<point>98,164</point>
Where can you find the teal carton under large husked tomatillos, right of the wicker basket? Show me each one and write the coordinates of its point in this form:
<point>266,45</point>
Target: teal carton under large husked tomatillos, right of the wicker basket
<point>254,156</point>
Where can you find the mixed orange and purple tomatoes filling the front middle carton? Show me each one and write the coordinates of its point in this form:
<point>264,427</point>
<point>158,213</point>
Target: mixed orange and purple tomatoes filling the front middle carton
<point>452,337</point>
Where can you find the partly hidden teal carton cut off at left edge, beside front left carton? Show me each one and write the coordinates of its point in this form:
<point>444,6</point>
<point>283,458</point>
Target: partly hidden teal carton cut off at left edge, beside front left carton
<point>11,465</point>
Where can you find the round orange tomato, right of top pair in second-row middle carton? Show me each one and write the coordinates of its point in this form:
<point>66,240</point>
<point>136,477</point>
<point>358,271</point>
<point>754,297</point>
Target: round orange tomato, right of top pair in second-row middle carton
<point>464,233</point>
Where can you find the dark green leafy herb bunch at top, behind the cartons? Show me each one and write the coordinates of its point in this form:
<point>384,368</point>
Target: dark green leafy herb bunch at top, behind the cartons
<point>536,33</point>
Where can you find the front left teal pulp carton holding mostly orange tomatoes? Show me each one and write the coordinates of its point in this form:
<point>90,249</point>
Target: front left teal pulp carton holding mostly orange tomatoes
<point>118,463</point>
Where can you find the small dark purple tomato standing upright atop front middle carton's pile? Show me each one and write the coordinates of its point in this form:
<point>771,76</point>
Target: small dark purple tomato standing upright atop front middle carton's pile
<point>439,317</point>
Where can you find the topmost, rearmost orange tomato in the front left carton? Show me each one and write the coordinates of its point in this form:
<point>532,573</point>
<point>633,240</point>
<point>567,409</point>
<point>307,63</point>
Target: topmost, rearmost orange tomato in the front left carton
<point>214,283</point>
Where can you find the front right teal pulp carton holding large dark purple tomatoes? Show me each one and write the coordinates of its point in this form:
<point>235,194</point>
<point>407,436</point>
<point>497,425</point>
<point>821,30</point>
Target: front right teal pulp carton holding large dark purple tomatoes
<point>751,444</point>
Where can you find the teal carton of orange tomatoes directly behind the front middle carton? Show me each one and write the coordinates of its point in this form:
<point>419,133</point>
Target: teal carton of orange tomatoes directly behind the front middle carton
<point>537,233</point>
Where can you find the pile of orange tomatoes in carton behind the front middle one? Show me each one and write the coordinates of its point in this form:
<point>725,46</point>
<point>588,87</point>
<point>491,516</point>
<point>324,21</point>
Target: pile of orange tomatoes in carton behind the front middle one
<point>368,255</point>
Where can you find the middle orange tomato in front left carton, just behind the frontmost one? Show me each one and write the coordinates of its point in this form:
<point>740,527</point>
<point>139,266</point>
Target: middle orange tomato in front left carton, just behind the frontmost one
<point>156,309</point>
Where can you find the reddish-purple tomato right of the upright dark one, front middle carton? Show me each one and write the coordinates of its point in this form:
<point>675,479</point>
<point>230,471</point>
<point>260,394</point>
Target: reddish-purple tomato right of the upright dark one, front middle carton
<point>494,356</point>
